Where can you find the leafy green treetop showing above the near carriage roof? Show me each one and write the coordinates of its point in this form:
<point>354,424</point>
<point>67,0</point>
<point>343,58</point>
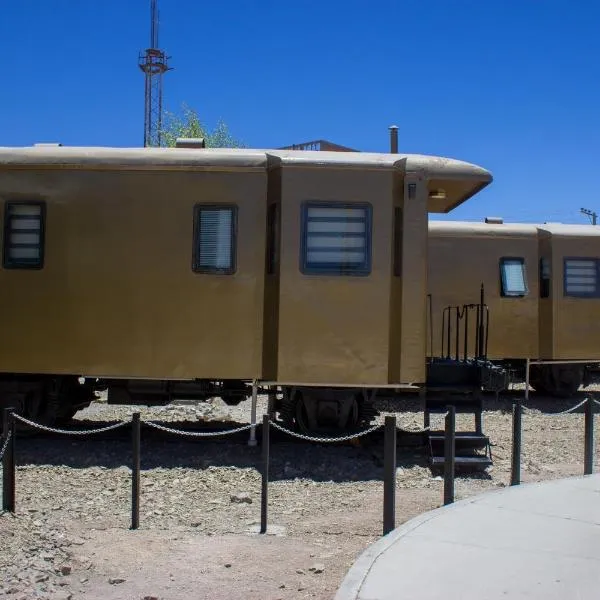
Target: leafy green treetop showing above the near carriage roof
<point>189,125</point>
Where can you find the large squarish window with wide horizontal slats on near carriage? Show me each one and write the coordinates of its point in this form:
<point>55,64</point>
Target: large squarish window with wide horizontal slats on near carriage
<point>336,238</point>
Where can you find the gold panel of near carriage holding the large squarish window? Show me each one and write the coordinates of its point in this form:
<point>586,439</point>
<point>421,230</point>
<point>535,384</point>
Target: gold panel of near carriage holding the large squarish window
<point>333,326</point>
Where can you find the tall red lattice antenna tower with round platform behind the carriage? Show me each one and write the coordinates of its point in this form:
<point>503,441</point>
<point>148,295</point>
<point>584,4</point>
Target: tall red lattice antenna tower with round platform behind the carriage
<point>153,62</point>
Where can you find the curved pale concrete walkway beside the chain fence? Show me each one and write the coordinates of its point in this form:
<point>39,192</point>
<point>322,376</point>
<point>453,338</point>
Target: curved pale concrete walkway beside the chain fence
<point>535,541</point>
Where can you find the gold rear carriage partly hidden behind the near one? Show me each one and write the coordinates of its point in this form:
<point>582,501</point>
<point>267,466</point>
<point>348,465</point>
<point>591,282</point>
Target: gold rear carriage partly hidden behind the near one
<point>542,298</point>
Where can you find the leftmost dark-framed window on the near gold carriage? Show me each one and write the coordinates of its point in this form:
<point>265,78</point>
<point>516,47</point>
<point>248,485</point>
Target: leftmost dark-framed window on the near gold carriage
<point>24,235</point>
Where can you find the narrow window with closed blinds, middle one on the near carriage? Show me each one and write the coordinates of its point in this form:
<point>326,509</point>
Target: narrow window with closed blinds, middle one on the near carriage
<point>214,239</point>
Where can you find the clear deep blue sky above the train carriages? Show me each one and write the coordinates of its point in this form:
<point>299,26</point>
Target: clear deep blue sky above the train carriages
<point>512,85</point>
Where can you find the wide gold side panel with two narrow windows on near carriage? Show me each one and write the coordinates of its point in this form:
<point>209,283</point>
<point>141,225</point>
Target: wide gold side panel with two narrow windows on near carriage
<point>118,294</point>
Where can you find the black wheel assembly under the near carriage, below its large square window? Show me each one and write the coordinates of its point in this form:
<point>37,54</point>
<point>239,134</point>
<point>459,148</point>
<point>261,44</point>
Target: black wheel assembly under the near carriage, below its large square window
<point>325,412</point>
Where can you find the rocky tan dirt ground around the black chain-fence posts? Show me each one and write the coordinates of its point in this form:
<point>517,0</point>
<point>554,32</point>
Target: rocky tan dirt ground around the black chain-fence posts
<point>200,504</point>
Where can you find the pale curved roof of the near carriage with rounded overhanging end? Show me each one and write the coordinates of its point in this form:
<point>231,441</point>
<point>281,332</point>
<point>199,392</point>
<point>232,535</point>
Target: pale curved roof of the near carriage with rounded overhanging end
<point>458,180</point>
